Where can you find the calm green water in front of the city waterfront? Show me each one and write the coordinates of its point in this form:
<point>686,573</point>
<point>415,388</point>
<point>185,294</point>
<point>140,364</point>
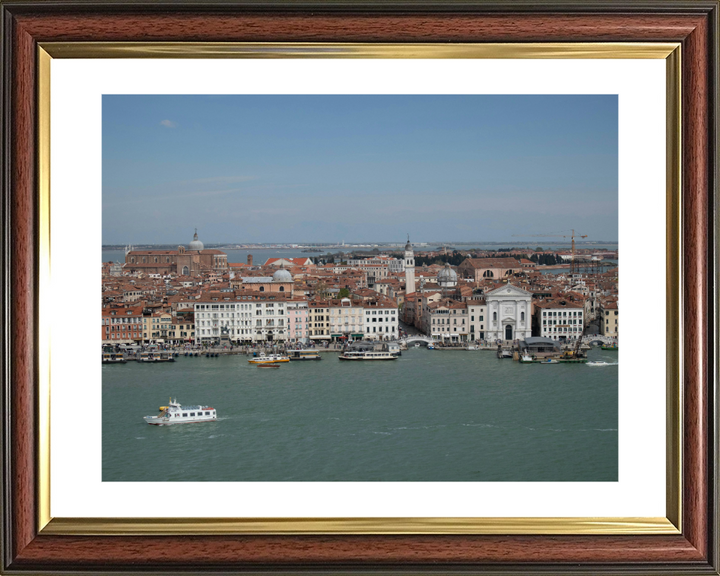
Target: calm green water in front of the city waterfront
<point>428,416</point>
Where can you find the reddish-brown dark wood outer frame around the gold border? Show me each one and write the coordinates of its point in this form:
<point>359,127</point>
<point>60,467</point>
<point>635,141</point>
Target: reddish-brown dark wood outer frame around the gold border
<point>694,23</point>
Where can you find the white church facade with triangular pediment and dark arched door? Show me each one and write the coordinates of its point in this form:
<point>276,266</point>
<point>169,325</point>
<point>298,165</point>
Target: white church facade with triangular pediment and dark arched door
<point>508,309</point>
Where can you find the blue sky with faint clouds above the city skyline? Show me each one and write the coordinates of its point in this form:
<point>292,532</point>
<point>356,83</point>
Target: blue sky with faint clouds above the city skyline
<point>358,168</point>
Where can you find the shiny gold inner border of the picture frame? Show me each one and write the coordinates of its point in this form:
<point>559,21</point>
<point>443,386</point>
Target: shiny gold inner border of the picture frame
<point>671,524</point>
